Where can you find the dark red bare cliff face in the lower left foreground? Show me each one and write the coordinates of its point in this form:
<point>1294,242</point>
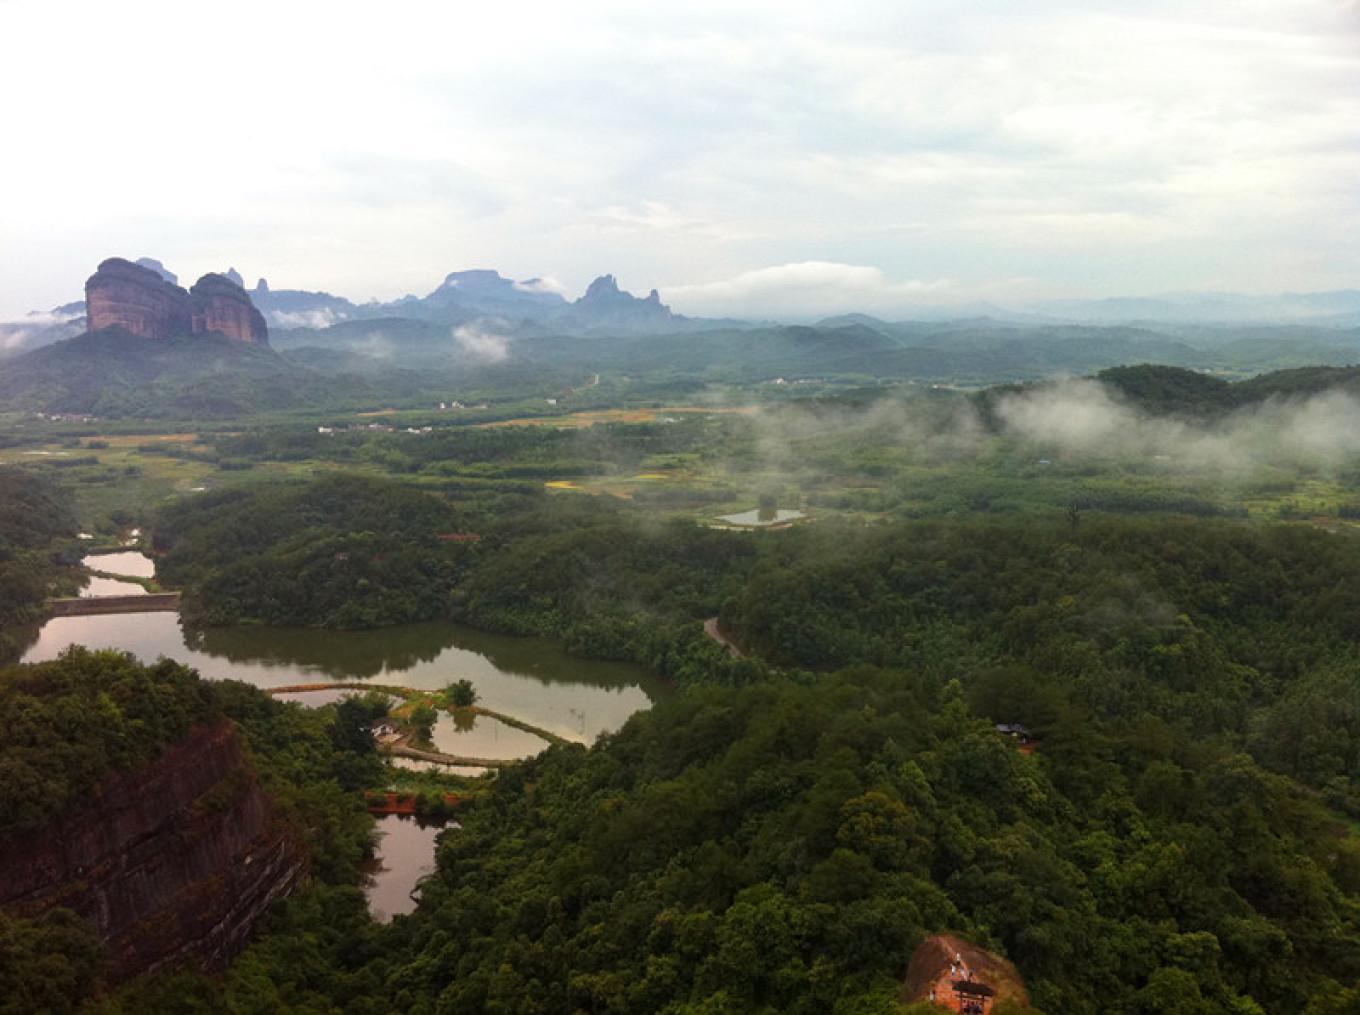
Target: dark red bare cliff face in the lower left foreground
<point>175,862</point>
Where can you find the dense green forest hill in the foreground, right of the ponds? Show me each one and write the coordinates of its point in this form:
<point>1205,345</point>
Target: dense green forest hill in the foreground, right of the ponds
<point>784,848</point>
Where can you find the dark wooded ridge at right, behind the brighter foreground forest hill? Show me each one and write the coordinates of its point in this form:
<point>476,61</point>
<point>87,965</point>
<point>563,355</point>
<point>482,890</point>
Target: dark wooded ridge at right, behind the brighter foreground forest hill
<point>1217,629</point>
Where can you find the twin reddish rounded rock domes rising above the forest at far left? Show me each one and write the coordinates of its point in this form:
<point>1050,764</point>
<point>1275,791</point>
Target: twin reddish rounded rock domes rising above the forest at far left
<point>138,299</point>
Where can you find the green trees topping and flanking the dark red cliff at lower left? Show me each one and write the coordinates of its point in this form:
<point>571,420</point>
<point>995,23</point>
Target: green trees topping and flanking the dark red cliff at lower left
<point>89,715</point>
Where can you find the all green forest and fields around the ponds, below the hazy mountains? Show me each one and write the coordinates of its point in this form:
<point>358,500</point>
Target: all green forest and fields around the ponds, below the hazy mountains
<point>784,832</point>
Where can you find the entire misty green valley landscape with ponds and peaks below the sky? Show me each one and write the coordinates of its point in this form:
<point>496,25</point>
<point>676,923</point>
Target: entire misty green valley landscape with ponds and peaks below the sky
<point>605,667</point>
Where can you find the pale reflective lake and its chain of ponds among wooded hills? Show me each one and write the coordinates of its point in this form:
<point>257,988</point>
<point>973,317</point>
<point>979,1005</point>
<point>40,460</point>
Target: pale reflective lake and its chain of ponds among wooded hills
<point>532,680</point>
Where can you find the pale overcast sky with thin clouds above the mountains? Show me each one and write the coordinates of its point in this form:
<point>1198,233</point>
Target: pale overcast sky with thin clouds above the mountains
<point>746,159</point>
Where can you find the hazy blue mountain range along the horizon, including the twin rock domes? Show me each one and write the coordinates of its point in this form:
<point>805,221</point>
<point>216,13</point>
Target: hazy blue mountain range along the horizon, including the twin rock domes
<point>149,346</point>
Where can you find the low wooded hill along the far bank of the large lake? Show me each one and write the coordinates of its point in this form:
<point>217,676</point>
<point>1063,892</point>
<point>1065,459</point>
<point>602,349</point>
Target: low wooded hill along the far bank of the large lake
<point>346,552</point>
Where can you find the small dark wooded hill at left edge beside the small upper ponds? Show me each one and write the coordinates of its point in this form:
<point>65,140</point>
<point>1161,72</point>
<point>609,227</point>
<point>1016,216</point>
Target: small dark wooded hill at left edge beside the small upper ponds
<point>35,520</point>
